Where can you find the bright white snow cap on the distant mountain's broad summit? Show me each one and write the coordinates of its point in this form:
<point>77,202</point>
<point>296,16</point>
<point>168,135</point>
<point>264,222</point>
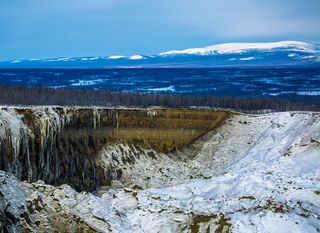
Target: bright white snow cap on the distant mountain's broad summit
<point>230,48</point>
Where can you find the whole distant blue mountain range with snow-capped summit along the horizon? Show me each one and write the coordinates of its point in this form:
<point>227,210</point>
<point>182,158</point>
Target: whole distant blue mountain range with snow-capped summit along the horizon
<point>271,54</point>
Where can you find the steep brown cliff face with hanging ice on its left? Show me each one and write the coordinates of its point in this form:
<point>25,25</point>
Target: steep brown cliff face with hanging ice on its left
<point>60,145</point>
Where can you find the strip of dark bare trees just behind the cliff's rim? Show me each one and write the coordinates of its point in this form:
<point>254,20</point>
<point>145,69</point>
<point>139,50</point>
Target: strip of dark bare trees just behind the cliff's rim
<point>22,95</point>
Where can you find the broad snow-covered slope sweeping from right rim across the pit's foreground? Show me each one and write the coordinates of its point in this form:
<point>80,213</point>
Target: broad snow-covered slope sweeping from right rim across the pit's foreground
<point>255,173</point>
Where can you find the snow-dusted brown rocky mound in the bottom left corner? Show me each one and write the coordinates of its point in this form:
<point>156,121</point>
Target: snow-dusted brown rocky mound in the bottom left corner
<point>36,207</point>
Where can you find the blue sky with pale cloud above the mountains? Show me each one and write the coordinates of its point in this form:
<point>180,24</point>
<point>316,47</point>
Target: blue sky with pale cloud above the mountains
<point>31,29</point>
